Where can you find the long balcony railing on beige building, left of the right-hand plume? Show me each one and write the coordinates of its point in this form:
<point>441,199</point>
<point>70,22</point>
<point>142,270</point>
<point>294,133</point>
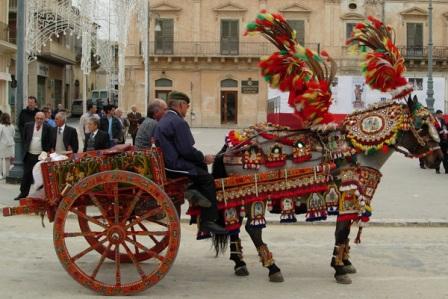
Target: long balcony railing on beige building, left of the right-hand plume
<point>214,48</point>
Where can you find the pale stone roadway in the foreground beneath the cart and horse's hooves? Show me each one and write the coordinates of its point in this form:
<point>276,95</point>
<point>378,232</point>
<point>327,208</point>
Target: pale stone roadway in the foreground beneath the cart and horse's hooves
<point>404,262</point>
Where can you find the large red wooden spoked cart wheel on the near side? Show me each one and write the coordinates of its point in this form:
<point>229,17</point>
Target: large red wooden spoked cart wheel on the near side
<point>115,195</point>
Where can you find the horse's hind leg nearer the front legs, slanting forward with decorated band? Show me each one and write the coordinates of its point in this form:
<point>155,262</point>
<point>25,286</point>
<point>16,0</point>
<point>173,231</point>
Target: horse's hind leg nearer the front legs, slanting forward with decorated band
<point>255,233</point>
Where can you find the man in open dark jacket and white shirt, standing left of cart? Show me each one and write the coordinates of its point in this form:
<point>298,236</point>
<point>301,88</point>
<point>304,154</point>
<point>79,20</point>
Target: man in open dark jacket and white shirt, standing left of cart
<point>37,138</point>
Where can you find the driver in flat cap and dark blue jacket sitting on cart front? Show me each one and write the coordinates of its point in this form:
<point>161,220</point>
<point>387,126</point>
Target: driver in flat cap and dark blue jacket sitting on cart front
<point>181,158</point>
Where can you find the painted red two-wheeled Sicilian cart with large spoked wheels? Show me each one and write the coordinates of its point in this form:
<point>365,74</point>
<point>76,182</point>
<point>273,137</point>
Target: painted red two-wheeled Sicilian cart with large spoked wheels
<point>116,223</point>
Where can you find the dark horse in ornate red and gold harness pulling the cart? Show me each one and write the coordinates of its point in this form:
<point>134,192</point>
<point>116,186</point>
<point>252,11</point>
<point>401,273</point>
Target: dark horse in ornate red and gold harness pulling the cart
<point>344,160</point>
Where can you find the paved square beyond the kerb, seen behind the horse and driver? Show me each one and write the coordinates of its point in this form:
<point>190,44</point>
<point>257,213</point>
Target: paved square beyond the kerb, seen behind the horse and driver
<point>405,195</point>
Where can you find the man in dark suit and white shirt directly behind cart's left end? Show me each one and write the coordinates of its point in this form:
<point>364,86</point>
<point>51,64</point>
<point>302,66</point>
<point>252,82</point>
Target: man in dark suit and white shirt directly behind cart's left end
<point>66,138</point>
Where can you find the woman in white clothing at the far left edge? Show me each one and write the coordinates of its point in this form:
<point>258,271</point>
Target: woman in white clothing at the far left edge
<point>7,132</point>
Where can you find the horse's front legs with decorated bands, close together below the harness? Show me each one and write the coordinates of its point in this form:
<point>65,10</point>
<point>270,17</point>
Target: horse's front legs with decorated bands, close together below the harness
<point>339,252</point>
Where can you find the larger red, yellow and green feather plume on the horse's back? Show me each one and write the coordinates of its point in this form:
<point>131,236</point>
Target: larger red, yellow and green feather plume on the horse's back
<point>304,73</point>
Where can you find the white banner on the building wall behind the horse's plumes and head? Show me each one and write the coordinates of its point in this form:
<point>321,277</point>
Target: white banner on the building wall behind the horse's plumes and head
<point>350,93</point>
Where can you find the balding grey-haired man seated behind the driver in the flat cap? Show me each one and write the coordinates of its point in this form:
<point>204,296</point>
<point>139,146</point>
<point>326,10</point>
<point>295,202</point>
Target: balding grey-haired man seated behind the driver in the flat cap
<point>156,110</point>
